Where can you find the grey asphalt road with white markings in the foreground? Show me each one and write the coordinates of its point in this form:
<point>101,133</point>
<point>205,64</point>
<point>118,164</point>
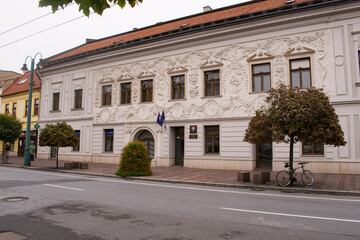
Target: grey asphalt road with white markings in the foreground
<point>51,205</point>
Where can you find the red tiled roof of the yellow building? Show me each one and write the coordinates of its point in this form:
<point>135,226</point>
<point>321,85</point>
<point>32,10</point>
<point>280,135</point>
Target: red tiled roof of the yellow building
<point>22,84</point>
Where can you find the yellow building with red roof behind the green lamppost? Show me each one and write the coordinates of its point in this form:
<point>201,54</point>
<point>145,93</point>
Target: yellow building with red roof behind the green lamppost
<point>15,101</point>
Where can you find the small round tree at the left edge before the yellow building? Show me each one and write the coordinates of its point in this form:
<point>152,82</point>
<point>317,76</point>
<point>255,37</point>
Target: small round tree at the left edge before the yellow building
<point>10,129</point>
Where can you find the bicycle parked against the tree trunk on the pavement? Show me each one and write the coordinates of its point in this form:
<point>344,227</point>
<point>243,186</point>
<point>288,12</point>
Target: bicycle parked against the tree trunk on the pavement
<point>284,178</point>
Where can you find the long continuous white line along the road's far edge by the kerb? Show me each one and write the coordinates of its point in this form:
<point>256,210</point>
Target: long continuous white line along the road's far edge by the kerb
<point>188,188</point>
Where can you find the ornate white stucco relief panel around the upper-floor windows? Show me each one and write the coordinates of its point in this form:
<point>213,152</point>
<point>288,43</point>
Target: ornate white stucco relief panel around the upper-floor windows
<point>233,60</point>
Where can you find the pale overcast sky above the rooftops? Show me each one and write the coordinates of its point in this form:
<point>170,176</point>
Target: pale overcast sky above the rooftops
<point>14,13</point>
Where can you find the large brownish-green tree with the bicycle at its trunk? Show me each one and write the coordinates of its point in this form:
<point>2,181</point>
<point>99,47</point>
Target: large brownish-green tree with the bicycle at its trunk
<point>291,115</point>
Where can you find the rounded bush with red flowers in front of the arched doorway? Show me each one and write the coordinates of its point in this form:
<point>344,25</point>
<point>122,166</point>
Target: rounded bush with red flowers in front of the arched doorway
<point>135,160</point>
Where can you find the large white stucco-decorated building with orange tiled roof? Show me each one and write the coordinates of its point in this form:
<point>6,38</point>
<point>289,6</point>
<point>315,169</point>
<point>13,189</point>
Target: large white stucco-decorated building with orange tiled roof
<point>209,73</point>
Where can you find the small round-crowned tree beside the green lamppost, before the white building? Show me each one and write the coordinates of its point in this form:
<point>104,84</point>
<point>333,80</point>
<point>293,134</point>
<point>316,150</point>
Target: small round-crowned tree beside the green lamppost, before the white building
<point>58,135</point>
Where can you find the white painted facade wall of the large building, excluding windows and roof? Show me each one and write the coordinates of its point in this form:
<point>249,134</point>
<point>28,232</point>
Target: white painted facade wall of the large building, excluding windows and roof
<point>329,36</point>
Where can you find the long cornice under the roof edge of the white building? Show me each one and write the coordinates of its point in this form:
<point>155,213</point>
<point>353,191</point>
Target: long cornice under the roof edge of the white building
<point>206,30</point>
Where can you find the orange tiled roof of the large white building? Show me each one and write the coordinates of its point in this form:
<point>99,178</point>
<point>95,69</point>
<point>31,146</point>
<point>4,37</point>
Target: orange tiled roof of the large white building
<point>210,16</point>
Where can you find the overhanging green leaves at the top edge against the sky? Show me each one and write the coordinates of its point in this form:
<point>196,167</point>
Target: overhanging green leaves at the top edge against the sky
<point>84,5</point>
